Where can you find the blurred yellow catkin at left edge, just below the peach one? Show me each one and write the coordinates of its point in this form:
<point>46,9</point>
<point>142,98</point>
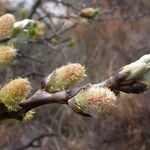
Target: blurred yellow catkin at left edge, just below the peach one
<point>7,54</point>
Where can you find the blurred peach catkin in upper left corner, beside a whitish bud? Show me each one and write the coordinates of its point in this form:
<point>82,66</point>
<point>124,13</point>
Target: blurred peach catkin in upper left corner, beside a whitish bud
<point>6,25</point>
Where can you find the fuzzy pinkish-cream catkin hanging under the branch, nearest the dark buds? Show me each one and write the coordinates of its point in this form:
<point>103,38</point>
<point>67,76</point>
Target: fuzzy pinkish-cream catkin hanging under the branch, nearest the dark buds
<point>94,100</point>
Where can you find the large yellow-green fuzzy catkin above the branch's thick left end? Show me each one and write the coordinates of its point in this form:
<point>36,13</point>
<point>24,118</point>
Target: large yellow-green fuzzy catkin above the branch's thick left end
<point>15,92</point>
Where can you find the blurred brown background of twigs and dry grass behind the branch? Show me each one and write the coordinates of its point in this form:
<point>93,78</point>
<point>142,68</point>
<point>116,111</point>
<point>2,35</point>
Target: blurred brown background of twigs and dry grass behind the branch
<point>118,36</point>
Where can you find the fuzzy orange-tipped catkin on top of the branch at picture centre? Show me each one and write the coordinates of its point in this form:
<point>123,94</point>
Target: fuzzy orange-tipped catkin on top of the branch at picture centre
<point>64,77</point>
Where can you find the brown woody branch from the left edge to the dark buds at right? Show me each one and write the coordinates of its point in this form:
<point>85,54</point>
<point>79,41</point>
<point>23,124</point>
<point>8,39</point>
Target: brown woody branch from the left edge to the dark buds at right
<point>116,83</point>
